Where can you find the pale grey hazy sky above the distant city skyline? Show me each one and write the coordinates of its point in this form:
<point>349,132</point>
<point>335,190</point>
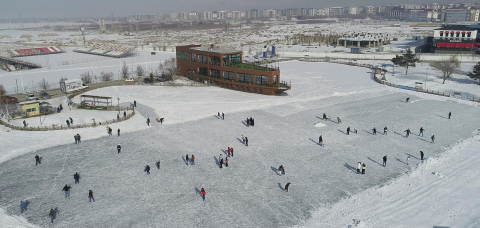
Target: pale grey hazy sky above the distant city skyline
<point>66,8</point>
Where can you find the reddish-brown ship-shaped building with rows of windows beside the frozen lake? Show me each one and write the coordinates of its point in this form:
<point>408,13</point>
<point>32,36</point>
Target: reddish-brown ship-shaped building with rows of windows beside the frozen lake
<point>225,68</point>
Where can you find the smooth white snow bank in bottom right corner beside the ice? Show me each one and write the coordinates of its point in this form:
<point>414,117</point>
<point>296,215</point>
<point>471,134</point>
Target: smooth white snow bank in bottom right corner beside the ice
<point>440,192</point>
